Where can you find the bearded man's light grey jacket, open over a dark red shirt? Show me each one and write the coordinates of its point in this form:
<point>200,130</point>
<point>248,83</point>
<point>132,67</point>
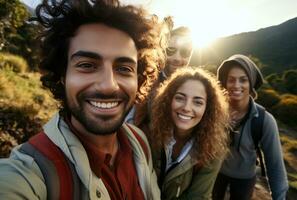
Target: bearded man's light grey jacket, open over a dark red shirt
<point>21,178</point>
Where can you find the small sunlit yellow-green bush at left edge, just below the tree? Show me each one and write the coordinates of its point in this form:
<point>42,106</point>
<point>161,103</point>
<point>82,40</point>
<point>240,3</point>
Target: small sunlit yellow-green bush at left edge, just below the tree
<point>16,63</point>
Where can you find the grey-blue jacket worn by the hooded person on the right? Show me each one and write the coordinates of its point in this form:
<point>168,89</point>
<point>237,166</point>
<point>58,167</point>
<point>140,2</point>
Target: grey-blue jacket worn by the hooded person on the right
<point>241,161</point>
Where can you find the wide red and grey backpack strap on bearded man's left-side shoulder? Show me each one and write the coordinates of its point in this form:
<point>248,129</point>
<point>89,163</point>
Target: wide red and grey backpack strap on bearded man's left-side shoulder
<point>61,179</point>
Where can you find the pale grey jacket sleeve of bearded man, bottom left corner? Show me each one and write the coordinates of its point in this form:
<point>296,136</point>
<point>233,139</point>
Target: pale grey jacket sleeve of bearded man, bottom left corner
<point>21,179</point>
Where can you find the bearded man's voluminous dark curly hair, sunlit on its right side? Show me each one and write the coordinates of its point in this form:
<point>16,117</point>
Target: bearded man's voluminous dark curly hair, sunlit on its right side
<point>62,18</point>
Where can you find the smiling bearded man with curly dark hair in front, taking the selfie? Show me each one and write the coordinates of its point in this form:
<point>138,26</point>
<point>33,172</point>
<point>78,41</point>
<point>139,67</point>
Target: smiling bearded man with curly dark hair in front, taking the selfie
<point>99,58</point>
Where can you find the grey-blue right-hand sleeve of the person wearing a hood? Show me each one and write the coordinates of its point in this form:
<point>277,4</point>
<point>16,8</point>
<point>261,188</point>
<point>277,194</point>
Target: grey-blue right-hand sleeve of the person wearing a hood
<point>271,147</point>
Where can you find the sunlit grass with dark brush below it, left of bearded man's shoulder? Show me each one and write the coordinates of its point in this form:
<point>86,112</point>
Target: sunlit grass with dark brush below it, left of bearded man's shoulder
<point>24,107</point>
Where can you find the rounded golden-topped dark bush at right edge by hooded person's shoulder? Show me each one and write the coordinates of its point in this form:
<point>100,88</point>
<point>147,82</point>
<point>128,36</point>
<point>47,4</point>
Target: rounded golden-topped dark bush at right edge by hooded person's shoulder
<point>286,109</point>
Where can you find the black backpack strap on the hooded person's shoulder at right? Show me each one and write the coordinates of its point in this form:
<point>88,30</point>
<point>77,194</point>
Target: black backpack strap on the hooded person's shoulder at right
<point>257,133</point>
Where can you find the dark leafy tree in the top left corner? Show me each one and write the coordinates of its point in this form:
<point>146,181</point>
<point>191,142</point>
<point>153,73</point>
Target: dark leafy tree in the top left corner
<point>17,35</point>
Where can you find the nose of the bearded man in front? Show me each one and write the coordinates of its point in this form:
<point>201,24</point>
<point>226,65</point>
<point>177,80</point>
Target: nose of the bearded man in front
<point>107,82</point>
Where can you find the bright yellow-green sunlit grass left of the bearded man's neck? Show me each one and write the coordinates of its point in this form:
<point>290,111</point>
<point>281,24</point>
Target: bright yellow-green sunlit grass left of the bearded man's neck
<point>25,91</point>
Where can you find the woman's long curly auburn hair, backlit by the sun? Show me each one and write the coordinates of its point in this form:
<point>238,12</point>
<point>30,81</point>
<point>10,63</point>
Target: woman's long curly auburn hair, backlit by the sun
<point>210,136</point>
